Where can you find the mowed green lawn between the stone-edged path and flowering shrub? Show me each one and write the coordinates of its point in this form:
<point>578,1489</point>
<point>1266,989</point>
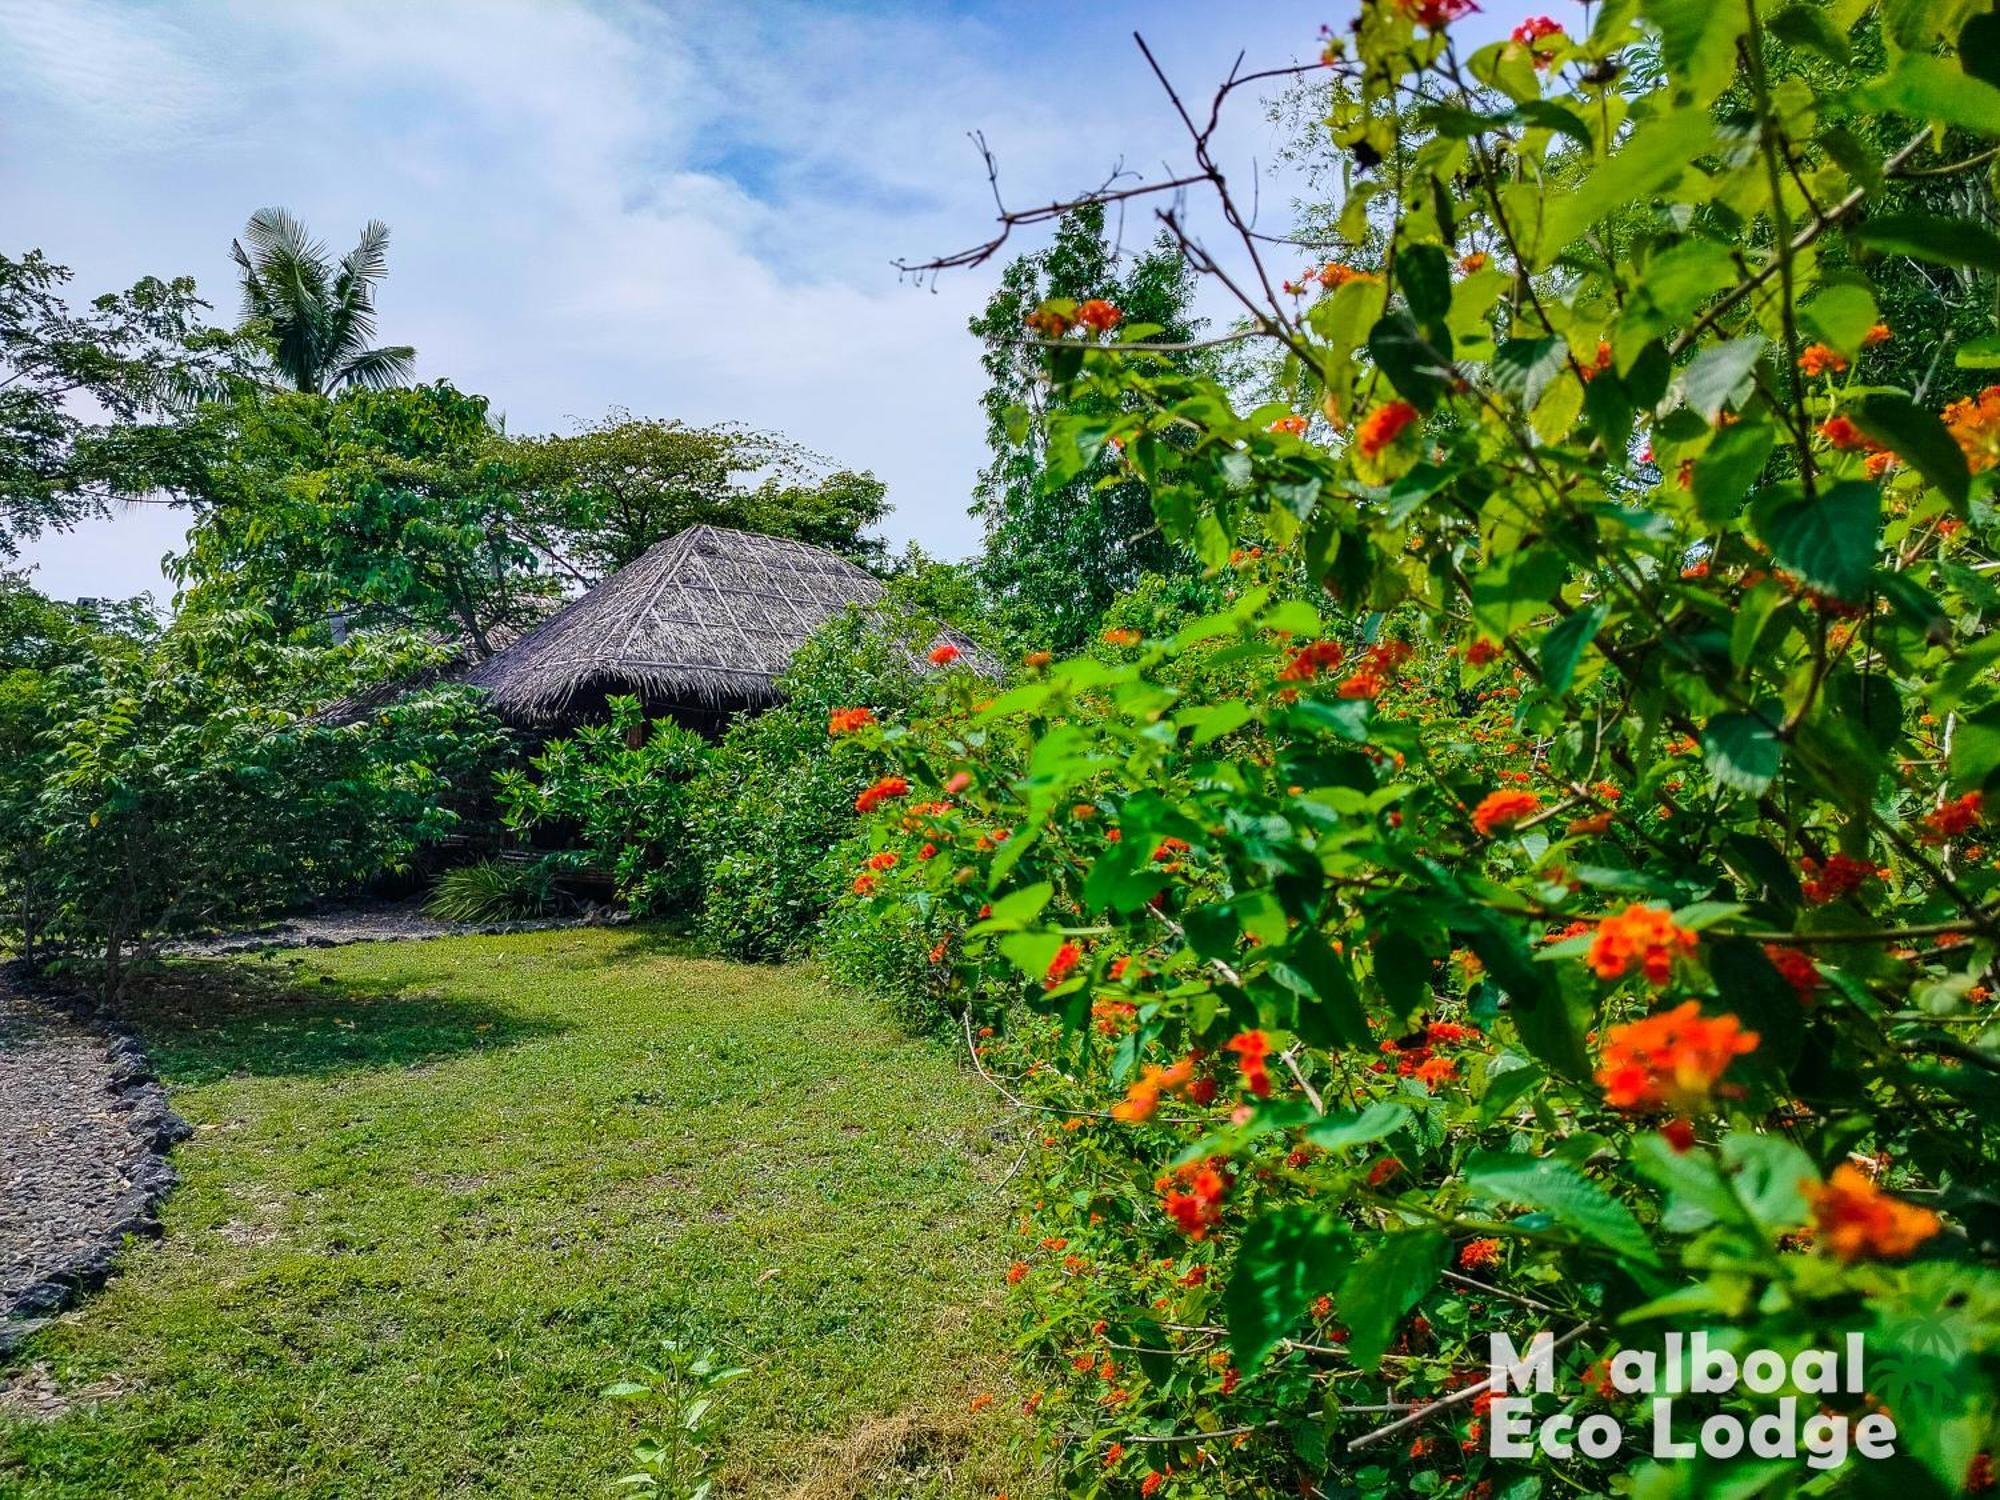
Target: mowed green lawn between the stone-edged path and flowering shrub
<point>443,1193</point>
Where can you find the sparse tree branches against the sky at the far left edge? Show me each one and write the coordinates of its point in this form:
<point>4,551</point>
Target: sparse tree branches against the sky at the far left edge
<point>133,355</point>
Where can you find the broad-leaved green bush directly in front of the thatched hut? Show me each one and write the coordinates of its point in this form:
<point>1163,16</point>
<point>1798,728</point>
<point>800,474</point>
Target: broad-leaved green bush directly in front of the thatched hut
<point>625,793</point>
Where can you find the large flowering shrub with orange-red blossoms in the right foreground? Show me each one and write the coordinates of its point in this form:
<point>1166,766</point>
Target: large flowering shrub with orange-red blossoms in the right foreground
<point>1553,891</point>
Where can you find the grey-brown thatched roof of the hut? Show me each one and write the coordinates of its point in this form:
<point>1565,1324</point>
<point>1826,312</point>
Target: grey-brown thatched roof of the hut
<point>705,621</point>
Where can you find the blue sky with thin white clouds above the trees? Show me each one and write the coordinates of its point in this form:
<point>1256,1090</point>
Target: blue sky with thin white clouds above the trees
<point>681,209</point>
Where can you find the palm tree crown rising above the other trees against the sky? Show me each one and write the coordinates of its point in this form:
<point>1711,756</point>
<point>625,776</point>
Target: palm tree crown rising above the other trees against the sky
<point>321,315</point>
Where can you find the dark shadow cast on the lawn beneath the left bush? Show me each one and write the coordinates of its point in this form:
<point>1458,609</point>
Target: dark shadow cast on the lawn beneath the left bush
<point>209,1021</point>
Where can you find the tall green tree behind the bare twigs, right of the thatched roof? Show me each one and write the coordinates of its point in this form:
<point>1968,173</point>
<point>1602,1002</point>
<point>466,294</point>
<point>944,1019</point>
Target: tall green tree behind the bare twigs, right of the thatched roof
<point>1057,555</point>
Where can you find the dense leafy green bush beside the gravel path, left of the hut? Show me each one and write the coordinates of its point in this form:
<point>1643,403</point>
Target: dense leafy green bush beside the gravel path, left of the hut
<point>189,783</point>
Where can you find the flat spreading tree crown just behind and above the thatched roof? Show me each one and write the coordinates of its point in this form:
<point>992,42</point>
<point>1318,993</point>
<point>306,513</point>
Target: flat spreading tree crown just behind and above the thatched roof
<point>607,493</point>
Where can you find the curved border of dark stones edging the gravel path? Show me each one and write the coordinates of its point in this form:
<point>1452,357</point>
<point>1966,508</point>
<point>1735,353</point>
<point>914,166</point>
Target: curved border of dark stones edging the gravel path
<point>135,1093</point>
